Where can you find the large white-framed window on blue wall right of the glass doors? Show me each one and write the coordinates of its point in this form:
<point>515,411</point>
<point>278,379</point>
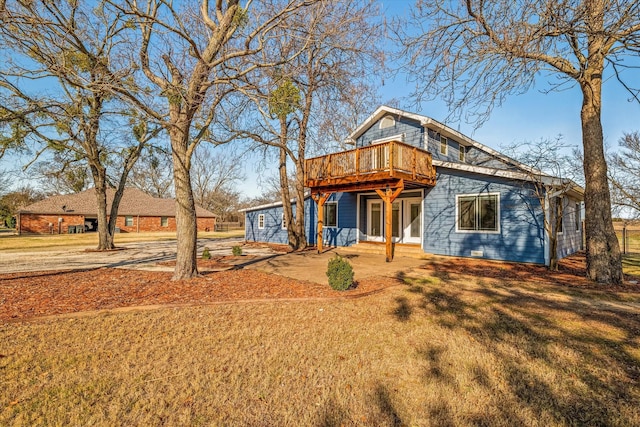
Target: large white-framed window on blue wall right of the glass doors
<point>478,213</point>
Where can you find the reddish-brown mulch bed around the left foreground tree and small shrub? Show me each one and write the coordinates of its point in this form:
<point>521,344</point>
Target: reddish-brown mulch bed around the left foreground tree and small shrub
<point>45,293</point>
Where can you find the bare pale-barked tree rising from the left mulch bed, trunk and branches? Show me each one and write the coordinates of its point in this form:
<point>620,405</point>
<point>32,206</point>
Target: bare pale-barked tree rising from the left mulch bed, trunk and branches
<point>191,58</point>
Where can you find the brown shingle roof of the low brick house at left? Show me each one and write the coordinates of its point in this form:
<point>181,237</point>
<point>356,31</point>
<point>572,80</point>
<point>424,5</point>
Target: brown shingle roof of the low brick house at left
<point>134,202</point>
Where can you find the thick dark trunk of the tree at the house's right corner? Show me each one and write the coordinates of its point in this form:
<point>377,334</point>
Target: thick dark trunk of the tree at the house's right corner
<point>604,262</point>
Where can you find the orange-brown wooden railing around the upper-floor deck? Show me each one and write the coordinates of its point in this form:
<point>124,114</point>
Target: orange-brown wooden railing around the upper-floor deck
<point>390,157</point>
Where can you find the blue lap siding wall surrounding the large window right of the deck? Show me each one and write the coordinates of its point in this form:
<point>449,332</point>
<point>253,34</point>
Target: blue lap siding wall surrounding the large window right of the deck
<point>521,236</point>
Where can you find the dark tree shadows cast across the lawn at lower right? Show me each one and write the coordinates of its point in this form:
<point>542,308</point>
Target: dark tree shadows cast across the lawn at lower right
<point>565,359</point>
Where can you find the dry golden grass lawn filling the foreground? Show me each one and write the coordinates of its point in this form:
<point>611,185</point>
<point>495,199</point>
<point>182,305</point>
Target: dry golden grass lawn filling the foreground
<point>438,350</point>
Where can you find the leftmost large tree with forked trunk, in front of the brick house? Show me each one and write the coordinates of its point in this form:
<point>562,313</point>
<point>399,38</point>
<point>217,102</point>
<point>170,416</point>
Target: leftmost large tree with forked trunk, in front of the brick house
<point>72,52</point>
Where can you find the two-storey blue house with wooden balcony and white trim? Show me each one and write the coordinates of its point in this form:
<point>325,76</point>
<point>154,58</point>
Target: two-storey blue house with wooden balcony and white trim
<point>411,180</point>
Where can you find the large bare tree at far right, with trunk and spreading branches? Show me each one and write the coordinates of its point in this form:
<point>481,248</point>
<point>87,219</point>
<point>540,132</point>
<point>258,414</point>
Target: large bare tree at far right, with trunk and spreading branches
<point>475,53</point>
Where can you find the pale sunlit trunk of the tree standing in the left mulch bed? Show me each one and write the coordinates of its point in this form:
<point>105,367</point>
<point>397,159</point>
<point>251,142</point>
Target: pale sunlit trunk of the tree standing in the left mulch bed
<point>186,223</point>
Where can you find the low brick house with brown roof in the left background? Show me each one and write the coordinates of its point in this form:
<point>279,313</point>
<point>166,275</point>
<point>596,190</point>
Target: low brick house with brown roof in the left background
<point>138,212</point>
